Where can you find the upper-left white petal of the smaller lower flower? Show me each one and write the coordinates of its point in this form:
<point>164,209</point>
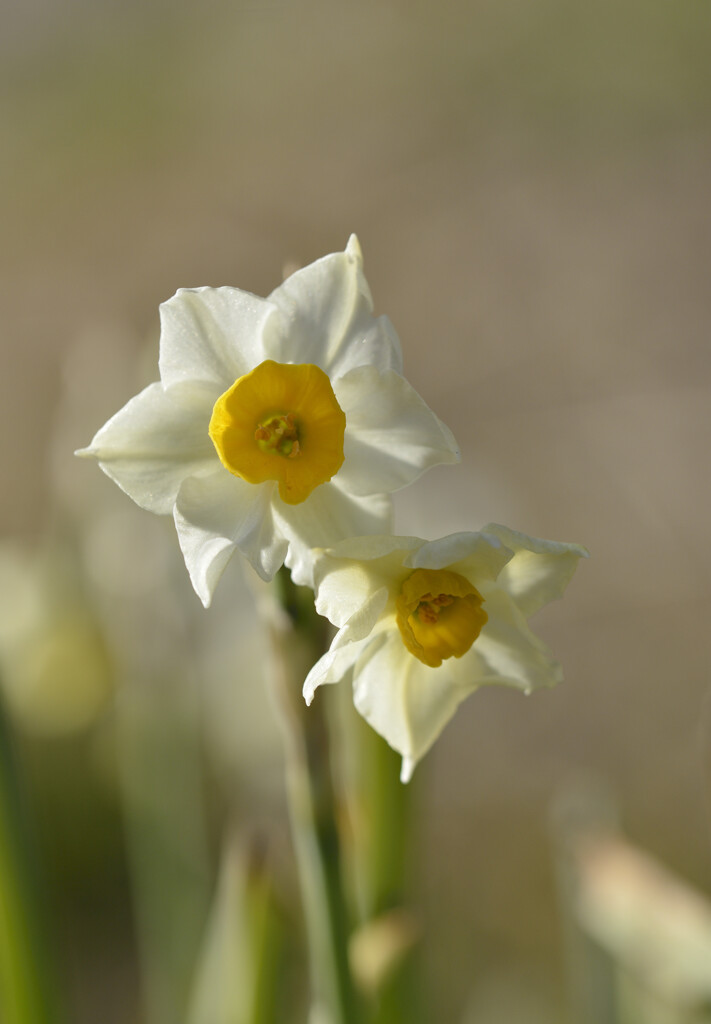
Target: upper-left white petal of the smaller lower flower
<point>349,577</point>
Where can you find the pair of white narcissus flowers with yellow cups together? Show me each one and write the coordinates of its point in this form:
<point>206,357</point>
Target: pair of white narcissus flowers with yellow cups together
<point>279,429</point>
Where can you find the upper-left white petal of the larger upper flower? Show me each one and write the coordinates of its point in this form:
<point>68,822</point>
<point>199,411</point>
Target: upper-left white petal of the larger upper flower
<point>214,335</point>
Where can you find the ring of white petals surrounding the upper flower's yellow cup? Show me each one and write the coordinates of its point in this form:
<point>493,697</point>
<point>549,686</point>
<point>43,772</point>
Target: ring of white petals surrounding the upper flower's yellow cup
<point>157,448</point>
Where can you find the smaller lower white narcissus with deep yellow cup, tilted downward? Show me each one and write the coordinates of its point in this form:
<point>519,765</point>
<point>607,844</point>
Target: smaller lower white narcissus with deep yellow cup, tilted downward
<point>425,624</point>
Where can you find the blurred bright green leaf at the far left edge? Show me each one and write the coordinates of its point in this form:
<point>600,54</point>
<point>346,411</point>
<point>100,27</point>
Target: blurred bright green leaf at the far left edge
<point>28,993</point>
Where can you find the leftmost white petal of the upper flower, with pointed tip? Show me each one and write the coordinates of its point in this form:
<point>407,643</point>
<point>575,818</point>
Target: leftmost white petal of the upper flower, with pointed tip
<point>156,442</point>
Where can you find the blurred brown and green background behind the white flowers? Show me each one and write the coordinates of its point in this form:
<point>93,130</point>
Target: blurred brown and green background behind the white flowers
<point>531,188</point>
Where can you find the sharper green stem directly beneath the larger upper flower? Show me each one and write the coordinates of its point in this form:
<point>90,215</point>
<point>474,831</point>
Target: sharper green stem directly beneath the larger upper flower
<point>300,638</point>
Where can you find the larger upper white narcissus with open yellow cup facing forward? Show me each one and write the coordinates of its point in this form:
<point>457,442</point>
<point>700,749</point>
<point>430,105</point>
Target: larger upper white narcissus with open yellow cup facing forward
<point>278,425</point>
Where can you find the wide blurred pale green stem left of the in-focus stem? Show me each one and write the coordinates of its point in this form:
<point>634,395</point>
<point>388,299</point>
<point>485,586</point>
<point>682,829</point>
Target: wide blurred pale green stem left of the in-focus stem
<point>164,816</point>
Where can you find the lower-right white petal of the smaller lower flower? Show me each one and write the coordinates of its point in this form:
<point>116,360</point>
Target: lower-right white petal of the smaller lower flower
<point>509,652</point>
